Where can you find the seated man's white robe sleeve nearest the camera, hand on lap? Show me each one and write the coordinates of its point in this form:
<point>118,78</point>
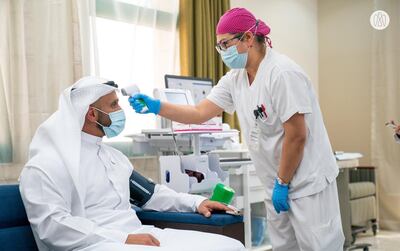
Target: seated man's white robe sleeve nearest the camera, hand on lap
<point>51,218</point>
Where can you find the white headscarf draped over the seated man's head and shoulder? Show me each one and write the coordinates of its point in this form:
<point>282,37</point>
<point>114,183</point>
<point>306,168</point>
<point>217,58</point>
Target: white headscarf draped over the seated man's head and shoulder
<point>57,142</point>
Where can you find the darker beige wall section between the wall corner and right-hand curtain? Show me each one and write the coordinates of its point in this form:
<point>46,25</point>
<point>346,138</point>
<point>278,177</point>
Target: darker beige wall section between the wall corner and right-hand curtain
<point>345,46</point>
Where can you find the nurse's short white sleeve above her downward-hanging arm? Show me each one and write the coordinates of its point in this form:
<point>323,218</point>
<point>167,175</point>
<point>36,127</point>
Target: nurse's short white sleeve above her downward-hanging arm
<point>290,93</point>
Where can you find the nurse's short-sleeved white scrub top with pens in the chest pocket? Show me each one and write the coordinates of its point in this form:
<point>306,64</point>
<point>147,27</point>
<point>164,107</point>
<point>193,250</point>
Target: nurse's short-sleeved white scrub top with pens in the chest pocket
<point>283,88</point>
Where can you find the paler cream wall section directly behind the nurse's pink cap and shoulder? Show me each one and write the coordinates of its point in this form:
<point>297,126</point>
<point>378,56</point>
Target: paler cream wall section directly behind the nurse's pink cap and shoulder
<point>294,29</point>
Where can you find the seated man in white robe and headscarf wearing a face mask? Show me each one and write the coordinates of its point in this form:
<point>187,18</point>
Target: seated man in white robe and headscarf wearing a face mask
<point>76,189</point>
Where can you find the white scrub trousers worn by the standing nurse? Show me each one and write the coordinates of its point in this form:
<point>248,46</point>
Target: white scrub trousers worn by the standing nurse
<point>312,223</point>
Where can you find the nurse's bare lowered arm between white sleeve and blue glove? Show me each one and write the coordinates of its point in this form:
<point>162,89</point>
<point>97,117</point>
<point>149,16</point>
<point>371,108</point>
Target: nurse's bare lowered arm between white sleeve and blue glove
<point>293,146</point>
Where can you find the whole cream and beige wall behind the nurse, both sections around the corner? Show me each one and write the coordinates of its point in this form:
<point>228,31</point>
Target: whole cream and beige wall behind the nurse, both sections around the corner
<point>331,40</point>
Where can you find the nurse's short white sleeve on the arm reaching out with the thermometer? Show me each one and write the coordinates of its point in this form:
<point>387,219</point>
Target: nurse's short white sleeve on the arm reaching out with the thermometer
<point>221,94</point>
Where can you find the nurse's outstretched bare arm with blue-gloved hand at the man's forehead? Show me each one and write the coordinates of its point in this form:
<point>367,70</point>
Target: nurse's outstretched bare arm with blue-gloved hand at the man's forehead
<point>186,114</point>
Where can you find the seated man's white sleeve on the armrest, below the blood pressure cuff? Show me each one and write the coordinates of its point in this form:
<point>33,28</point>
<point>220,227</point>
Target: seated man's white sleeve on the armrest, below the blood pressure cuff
<point>166,199</point>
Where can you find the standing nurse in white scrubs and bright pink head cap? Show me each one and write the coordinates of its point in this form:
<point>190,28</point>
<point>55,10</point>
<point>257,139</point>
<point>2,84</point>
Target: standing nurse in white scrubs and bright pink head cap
<point>283,127</point>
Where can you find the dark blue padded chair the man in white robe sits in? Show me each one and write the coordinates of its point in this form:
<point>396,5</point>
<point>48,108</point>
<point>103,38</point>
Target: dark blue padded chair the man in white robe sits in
<point>16,233</point>
